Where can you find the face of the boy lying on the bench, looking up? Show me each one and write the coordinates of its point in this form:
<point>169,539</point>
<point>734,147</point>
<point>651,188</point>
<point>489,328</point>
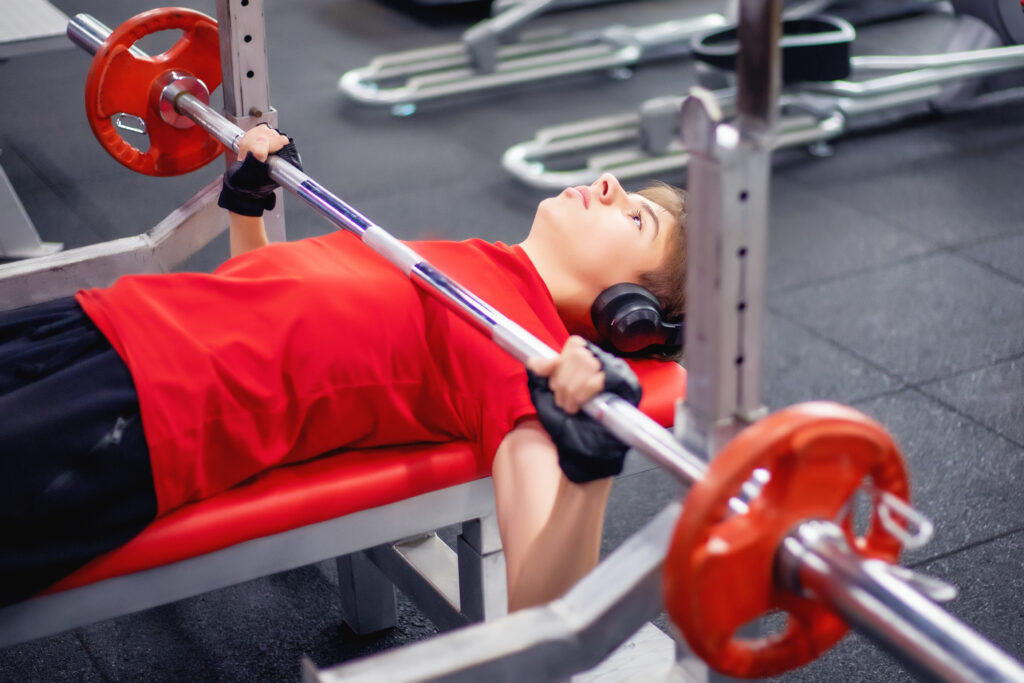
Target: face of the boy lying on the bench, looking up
<point>605,235</point>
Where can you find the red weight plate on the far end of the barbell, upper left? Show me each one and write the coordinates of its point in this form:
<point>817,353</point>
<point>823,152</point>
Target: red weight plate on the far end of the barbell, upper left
<point>120,82</point>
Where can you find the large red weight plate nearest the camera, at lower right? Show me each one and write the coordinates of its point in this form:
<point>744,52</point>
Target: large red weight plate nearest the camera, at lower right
<point>719,571</point>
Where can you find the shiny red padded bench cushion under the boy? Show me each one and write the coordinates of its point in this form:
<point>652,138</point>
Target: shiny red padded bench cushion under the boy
<point>334,486</point>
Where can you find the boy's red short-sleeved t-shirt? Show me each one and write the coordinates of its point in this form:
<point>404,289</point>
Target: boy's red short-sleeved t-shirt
<point>295,350</point>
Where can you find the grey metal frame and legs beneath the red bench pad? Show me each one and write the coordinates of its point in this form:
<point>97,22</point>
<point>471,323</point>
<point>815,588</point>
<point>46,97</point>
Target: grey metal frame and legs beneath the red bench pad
<point>371,564</point>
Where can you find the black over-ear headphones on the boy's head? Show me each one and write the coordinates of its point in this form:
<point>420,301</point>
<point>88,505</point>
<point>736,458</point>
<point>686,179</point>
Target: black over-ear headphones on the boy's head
<point>630,321</point>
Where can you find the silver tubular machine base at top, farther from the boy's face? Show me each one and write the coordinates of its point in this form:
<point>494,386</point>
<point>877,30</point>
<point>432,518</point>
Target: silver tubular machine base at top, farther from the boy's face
<point>498,53</point>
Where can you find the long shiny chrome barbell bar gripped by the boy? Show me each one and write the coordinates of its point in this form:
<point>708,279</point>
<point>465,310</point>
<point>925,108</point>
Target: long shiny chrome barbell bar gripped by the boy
<point>824,568</point>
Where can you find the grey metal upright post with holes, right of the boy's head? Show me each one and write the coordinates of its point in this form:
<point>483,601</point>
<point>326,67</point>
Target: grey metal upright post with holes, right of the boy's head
<point>729,228</point>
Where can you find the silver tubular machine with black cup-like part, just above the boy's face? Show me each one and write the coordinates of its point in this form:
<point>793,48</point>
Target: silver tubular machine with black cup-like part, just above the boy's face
<point>874,91</point>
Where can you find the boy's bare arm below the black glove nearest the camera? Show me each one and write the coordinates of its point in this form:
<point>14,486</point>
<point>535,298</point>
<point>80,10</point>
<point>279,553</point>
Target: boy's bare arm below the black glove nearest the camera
<point>551,528</point>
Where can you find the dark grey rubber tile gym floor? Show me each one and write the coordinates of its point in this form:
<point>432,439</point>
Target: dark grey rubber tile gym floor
<point>895,284</point>
